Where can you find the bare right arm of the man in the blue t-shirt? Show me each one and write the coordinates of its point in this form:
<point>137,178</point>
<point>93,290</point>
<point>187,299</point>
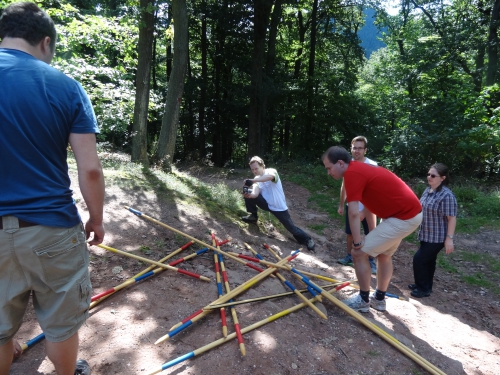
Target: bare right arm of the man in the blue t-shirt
<point>91,180</point>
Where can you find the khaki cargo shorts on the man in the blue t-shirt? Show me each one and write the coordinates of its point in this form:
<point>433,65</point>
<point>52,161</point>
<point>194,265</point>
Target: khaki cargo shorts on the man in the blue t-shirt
<point>51,264</point>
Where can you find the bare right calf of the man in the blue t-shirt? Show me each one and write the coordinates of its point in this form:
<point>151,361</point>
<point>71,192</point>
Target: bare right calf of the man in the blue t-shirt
<point>63,354</point>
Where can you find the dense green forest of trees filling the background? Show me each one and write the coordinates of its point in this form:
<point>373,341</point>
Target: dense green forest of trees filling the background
<point>287,79</point>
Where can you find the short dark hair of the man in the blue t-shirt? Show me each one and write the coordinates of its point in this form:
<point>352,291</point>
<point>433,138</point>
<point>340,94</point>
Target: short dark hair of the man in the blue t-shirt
<point>29,22</point>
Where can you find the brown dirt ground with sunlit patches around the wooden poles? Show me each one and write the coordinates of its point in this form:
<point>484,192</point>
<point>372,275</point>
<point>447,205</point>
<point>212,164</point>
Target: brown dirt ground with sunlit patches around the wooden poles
<point>456,329</point>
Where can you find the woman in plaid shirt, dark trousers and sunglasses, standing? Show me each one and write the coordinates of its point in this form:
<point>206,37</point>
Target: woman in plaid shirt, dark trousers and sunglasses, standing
<point>439,210</point>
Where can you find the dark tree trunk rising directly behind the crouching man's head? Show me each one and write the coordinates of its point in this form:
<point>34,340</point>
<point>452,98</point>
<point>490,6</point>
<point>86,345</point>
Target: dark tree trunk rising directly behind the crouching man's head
<point>262,11</point>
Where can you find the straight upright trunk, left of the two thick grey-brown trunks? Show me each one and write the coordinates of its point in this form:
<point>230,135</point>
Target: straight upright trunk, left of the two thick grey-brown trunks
<point>140,126</point>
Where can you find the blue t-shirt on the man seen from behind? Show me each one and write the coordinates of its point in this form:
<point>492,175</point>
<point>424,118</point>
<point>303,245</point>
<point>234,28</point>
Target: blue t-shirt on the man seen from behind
<point>39,108</point>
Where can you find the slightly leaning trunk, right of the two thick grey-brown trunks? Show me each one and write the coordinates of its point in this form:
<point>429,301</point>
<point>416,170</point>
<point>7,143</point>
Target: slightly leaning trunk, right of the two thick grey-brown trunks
<point>168,133</point>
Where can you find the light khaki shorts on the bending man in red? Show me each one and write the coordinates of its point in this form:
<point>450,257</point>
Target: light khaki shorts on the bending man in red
<point>387,236</point>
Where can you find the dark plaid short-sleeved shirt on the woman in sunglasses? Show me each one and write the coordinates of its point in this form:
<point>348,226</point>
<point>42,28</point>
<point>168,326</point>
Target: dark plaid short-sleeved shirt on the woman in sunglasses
<point>435,209</point>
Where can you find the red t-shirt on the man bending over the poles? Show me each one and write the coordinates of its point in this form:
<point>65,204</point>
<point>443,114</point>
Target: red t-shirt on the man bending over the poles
<point>381,191</point>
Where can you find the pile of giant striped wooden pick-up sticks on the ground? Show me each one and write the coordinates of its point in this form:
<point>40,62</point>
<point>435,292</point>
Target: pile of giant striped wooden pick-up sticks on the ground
<point>226,298</point>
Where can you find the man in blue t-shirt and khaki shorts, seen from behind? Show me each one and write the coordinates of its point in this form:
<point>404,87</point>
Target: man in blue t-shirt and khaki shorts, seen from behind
<point>43,250</point>
